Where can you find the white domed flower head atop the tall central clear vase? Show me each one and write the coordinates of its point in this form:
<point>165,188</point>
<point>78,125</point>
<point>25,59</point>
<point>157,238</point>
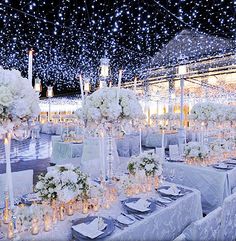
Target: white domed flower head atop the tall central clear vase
<point>103,106</point>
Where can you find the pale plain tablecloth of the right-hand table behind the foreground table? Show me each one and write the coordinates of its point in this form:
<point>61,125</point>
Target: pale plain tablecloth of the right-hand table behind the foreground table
<point>214,184</point>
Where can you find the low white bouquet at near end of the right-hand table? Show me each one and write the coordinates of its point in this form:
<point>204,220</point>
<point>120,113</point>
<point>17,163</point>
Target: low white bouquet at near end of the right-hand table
<point>196,152</point>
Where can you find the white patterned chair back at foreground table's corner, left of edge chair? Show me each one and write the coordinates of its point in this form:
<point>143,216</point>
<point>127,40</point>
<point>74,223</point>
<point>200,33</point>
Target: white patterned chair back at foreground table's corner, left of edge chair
<point>205,229</point>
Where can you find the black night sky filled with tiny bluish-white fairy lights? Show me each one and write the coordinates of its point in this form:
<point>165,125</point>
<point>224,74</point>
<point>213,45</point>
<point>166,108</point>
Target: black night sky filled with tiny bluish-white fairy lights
<point>70,37</point>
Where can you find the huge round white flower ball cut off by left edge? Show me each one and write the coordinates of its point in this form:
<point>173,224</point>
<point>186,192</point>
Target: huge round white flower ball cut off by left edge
<point>18,100</point>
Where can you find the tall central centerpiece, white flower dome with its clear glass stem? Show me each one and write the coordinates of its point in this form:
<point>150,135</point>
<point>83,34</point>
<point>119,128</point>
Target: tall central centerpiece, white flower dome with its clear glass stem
<point>108,109</point>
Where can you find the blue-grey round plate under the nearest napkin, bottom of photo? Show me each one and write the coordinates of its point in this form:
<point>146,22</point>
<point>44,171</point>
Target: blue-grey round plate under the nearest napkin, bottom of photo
<point>106,232</point>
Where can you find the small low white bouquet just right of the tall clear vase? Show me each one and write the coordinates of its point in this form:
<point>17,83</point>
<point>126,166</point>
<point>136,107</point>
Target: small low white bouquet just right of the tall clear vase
<point>150,163</point>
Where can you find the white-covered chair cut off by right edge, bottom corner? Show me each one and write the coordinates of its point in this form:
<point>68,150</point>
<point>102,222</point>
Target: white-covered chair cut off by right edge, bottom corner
<point>228,226</point>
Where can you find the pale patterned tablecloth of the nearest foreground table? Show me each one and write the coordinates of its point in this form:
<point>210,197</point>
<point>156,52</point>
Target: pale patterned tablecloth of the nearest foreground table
<point>165,223</point>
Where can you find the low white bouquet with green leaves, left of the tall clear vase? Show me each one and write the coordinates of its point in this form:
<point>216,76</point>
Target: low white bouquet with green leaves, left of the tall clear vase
<point>63,183</point>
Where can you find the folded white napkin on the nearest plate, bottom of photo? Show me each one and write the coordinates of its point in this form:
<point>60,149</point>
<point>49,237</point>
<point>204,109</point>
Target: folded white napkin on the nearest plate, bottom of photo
<point>91,230</point>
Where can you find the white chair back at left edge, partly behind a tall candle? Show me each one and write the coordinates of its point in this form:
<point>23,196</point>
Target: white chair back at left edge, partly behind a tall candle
<point>22,184</point>
